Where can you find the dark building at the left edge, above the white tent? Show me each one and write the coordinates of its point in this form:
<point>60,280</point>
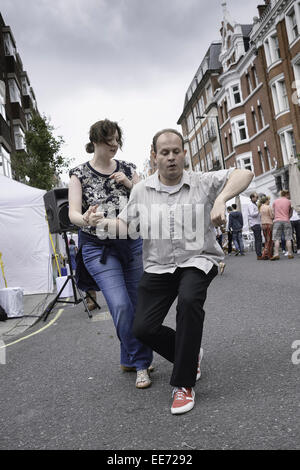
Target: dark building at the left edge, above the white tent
<point>17,99</point>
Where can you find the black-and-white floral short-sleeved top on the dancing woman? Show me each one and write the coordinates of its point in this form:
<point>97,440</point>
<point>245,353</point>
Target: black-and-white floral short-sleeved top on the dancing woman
<point>98,188</point>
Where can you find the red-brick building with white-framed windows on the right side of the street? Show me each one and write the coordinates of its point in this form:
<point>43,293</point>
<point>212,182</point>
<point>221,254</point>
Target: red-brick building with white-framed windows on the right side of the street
<point>252,87</point>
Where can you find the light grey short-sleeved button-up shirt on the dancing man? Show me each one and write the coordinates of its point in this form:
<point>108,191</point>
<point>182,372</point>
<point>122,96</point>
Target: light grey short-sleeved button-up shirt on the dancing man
<point>191,240</point>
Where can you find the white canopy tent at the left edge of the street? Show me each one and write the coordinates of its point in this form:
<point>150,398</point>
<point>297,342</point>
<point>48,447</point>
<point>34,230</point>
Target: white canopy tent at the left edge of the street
<point>24,238</point>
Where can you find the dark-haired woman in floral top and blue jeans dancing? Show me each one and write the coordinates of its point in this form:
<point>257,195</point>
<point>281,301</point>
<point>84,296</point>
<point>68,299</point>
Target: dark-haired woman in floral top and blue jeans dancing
<point>104,183</point>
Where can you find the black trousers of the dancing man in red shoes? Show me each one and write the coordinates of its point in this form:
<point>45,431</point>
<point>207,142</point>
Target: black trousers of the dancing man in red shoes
<point>156,294</point>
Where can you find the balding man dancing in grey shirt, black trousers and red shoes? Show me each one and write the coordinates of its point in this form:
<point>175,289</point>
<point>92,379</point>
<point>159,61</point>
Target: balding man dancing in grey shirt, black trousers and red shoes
<point>176,212</point>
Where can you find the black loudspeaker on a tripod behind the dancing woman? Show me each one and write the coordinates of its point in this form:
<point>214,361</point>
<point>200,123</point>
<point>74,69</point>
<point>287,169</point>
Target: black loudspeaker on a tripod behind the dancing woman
<point>57,209</point>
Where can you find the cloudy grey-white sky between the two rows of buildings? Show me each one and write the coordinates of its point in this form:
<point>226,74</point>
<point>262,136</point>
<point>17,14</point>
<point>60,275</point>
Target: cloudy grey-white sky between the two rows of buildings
<point>129,61</point>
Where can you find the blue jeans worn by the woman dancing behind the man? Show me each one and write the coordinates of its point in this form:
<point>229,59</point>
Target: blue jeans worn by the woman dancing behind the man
<point>119,286</point>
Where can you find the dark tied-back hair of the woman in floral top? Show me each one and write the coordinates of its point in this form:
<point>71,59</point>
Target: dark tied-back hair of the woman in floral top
<point>102,132</point>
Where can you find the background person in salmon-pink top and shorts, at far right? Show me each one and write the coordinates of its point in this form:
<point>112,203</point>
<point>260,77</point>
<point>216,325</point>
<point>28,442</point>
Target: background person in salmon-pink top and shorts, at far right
<point>281,225</point>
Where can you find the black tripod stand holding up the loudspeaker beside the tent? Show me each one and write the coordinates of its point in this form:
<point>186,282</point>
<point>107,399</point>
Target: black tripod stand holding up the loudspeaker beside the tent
<point>71,278</point>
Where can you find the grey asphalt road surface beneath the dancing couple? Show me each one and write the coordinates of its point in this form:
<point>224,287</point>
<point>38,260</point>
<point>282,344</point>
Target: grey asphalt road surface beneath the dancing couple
<point>62,387</point>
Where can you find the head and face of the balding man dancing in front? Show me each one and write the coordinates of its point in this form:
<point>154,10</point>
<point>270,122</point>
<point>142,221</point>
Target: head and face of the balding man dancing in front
<point>169,158</point>
